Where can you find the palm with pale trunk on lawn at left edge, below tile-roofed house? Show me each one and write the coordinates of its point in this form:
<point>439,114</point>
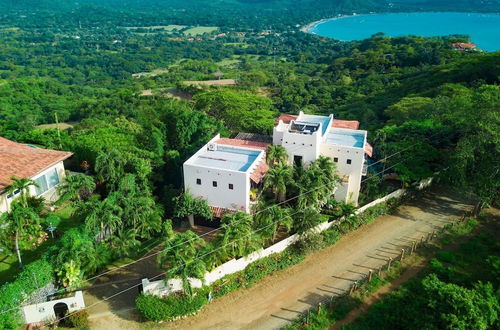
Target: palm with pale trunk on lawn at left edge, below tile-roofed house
<point>20,223</point>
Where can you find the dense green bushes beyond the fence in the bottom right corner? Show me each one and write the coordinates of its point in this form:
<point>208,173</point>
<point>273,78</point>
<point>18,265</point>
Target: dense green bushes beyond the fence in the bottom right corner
<point>459,291</point>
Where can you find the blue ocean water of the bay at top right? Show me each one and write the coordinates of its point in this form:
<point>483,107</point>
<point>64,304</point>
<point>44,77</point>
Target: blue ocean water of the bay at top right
<point>483,28</point>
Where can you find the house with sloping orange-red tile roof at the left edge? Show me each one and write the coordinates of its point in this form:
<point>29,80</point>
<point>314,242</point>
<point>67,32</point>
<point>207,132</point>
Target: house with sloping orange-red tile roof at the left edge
<point>45,167</point>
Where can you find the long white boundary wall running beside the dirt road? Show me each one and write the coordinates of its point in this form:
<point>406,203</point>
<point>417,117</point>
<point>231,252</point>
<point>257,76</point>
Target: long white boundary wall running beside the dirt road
<point>160,288</point>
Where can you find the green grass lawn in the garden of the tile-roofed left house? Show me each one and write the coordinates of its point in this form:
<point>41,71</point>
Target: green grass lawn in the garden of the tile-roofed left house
<point>9,267</point>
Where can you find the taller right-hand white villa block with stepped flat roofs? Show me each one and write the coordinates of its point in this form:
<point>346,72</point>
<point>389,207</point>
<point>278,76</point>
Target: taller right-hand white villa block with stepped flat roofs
<point>307,137</point>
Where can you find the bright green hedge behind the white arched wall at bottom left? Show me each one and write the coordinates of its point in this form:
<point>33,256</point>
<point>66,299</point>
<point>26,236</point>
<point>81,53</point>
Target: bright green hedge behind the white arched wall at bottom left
<point>34,276</point>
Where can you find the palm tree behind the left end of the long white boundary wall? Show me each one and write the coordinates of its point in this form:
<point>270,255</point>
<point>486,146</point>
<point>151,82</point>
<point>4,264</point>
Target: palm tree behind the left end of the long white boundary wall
<point>180,259</point>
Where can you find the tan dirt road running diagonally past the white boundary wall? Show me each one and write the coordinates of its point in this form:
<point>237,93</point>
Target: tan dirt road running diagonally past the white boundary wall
<point>277,299</point>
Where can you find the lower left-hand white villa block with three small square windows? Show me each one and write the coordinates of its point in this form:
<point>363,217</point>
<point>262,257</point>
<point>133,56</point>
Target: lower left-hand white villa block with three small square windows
<point>223,172</point>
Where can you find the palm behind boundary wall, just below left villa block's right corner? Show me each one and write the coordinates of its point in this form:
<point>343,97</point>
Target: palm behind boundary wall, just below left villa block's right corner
<point>238,237</point>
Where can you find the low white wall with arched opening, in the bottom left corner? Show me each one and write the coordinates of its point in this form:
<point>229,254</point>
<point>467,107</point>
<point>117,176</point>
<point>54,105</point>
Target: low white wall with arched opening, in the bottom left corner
<point>45,311</point>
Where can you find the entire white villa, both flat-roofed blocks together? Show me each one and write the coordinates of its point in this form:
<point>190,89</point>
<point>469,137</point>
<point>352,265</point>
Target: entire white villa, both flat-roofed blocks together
<point>224,170</point>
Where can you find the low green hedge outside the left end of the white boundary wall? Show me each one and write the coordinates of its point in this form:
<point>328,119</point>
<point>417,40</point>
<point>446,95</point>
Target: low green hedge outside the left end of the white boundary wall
<point>167,309</point>
